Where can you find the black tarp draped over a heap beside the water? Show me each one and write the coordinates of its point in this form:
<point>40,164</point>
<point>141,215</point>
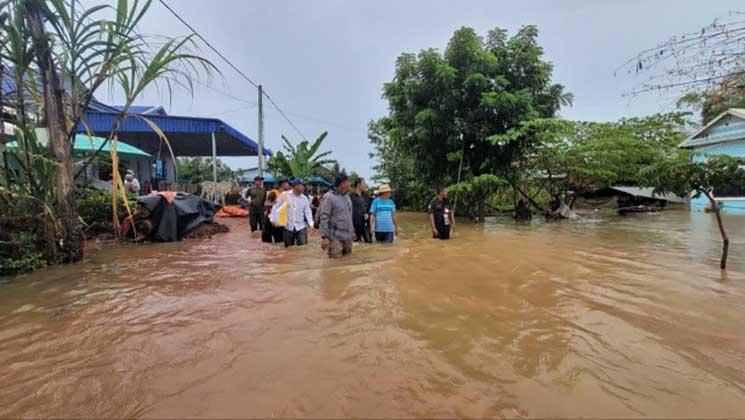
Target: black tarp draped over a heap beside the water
<point>172,220</point>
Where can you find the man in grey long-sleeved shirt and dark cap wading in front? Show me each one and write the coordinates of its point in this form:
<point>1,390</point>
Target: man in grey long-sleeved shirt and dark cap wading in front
<point>337,228</point>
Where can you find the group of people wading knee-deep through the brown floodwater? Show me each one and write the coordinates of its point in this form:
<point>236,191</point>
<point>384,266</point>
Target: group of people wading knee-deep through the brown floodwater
<point>343,215</point>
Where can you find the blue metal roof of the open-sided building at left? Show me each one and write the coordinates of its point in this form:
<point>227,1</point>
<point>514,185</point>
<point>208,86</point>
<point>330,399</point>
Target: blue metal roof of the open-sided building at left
<point>188,136</point>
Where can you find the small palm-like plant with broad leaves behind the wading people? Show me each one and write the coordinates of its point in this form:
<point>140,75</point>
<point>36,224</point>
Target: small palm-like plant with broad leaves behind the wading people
<point>301,161</point>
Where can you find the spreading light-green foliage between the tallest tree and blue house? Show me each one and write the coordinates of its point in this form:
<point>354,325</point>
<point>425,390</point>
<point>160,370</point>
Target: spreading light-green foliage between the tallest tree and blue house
<point>581,156</point>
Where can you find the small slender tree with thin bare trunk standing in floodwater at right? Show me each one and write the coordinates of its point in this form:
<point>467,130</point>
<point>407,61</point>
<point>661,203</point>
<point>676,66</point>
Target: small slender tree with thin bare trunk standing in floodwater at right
<point>682,174</point>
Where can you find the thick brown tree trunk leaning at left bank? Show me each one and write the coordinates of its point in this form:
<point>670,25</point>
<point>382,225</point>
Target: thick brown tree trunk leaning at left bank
<point>72,239</point>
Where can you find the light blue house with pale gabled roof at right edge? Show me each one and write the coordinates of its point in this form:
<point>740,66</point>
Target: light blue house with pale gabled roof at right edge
<point>724,135</point>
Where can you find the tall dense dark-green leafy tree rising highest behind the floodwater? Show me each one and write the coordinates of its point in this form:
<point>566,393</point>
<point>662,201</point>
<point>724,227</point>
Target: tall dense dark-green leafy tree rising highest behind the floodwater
<point>445,107</point>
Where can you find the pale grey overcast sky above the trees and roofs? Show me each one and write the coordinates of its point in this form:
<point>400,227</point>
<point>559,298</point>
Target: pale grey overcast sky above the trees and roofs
<point>325,62</point>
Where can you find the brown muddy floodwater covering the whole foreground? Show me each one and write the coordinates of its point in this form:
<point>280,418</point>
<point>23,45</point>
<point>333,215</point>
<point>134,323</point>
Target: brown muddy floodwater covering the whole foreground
<point>615,317</point>
